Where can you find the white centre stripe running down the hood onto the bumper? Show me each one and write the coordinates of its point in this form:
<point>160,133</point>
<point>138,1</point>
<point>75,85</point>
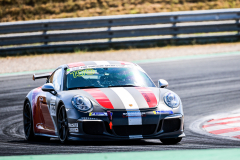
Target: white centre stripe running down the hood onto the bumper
<point>131,106</point>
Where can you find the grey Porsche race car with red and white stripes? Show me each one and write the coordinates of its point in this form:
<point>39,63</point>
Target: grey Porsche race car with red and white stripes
<point>102,100</point>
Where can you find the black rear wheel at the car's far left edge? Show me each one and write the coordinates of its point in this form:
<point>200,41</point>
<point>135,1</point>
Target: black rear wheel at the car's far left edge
<point>27,122</point>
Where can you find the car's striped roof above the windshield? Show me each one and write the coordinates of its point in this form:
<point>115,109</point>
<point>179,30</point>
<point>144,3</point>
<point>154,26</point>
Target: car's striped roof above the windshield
<point>86,63</point>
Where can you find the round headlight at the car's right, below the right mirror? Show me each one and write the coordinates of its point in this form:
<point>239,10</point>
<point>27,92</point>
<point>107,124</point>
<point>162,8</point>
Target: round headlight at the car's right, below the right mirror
<point>171,99</point>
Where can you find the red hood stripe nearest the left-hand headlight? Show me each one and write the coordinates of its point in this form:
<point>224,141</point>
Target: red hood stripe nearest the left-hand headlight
<point>100,97</point>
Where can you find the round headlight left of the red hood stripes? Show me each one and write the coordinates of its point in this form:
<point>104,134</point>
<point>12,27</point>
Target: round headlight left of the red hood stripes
<point>82,103</point>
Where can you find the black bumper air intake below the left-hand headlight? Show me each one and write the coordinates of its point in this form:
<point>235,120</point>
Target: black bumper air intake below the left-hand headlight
<point>94,128</point>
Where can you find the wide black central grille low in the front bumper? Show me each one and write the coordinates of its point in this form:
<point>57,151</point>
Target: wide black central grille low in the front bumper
<point>127,130</point>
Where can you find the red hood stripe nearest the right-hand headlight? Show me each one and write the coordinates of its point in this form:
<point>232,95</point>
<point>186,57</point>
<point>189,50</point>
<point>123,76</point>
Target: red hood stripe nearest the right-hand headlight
<point>148,96</point>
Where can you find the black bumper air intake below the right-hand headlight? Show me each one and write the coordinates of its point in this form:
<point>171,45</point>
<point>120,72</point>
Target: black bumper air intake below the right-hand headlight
<point>171,125</point>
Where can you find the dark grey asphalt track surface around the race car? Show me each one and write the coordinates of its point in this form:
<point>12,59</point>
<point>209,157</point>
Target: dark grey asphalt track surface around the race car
<point>206,86</point>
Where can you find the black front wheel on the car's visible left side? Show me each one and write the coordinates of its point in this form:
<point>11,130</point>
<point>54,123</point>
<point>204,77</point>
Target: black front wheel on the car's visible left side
<point>62,125</point>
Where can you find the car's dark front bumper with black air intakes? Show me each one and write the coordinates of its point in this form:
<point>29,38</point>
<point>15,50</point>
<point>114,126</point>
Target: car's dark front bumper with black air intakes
<point>153,126</point>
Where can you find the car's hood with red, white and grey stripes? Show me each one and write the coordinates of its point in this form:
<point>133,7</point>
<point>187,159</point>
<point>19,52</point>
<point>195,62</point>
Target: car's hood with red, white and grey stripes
<point>123,97</point>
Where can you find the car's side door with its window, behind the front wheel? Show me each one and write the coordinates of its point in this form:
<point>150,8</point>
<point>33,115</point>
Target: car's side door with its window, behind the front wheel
<point>48,104</point>
